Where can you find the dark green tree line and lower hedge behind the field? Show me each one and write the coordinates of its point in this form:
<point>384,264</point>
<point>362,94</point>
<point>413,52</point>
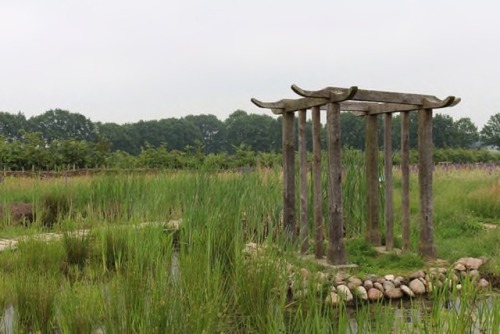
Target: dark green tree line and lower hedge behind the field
<point>60,138</point>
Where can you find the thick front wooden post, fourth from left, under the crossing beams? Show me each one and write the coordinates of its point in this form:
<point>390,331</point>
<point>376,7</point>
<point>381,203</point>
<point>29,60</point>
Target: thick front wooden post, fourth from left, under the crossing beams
<point>336,249</point>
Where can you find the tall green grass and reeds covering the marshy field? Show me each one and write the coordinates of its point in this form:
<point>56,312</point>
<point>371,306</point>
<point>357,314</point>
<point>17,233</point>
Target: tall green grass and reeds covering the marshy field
<point>198,280</point>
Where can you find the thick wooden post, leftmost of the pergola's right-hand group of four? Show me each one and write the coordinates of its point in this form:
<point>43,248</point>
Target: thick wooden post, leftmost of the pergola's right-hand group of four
<point>371,158</point>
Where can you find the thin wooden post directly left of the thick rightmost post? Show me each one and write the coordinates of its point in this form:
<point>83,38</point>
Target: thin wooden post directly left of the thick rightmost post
<point>405,177</point>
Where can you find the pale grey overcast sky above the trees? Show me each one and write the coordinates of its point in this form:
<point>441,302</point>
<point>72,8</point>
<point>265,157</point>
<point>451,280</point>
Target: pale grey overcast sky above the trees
<point>123,60</point>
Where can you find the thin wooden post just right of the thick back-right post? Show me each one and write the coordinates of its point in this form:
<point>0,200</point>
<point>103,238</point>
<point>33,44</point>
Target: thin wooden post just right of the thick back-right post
<point>389,213</point>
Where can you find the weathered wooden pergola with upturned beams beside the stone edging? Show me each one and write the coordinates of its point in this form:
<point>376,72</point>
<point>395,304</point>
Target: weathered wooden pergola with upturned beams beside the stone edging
<point>369,104</point>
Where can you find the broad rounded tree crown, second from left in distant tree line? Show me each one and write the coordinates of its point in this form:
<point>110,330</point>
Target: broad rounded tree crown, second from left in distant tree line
<point>62,124</point>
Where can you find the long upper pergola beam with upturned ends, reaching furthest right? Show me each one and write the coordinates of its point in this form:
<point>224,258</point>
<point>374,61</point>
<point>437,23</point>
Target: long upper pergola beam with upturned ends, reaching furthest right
<point>380,96</point>
